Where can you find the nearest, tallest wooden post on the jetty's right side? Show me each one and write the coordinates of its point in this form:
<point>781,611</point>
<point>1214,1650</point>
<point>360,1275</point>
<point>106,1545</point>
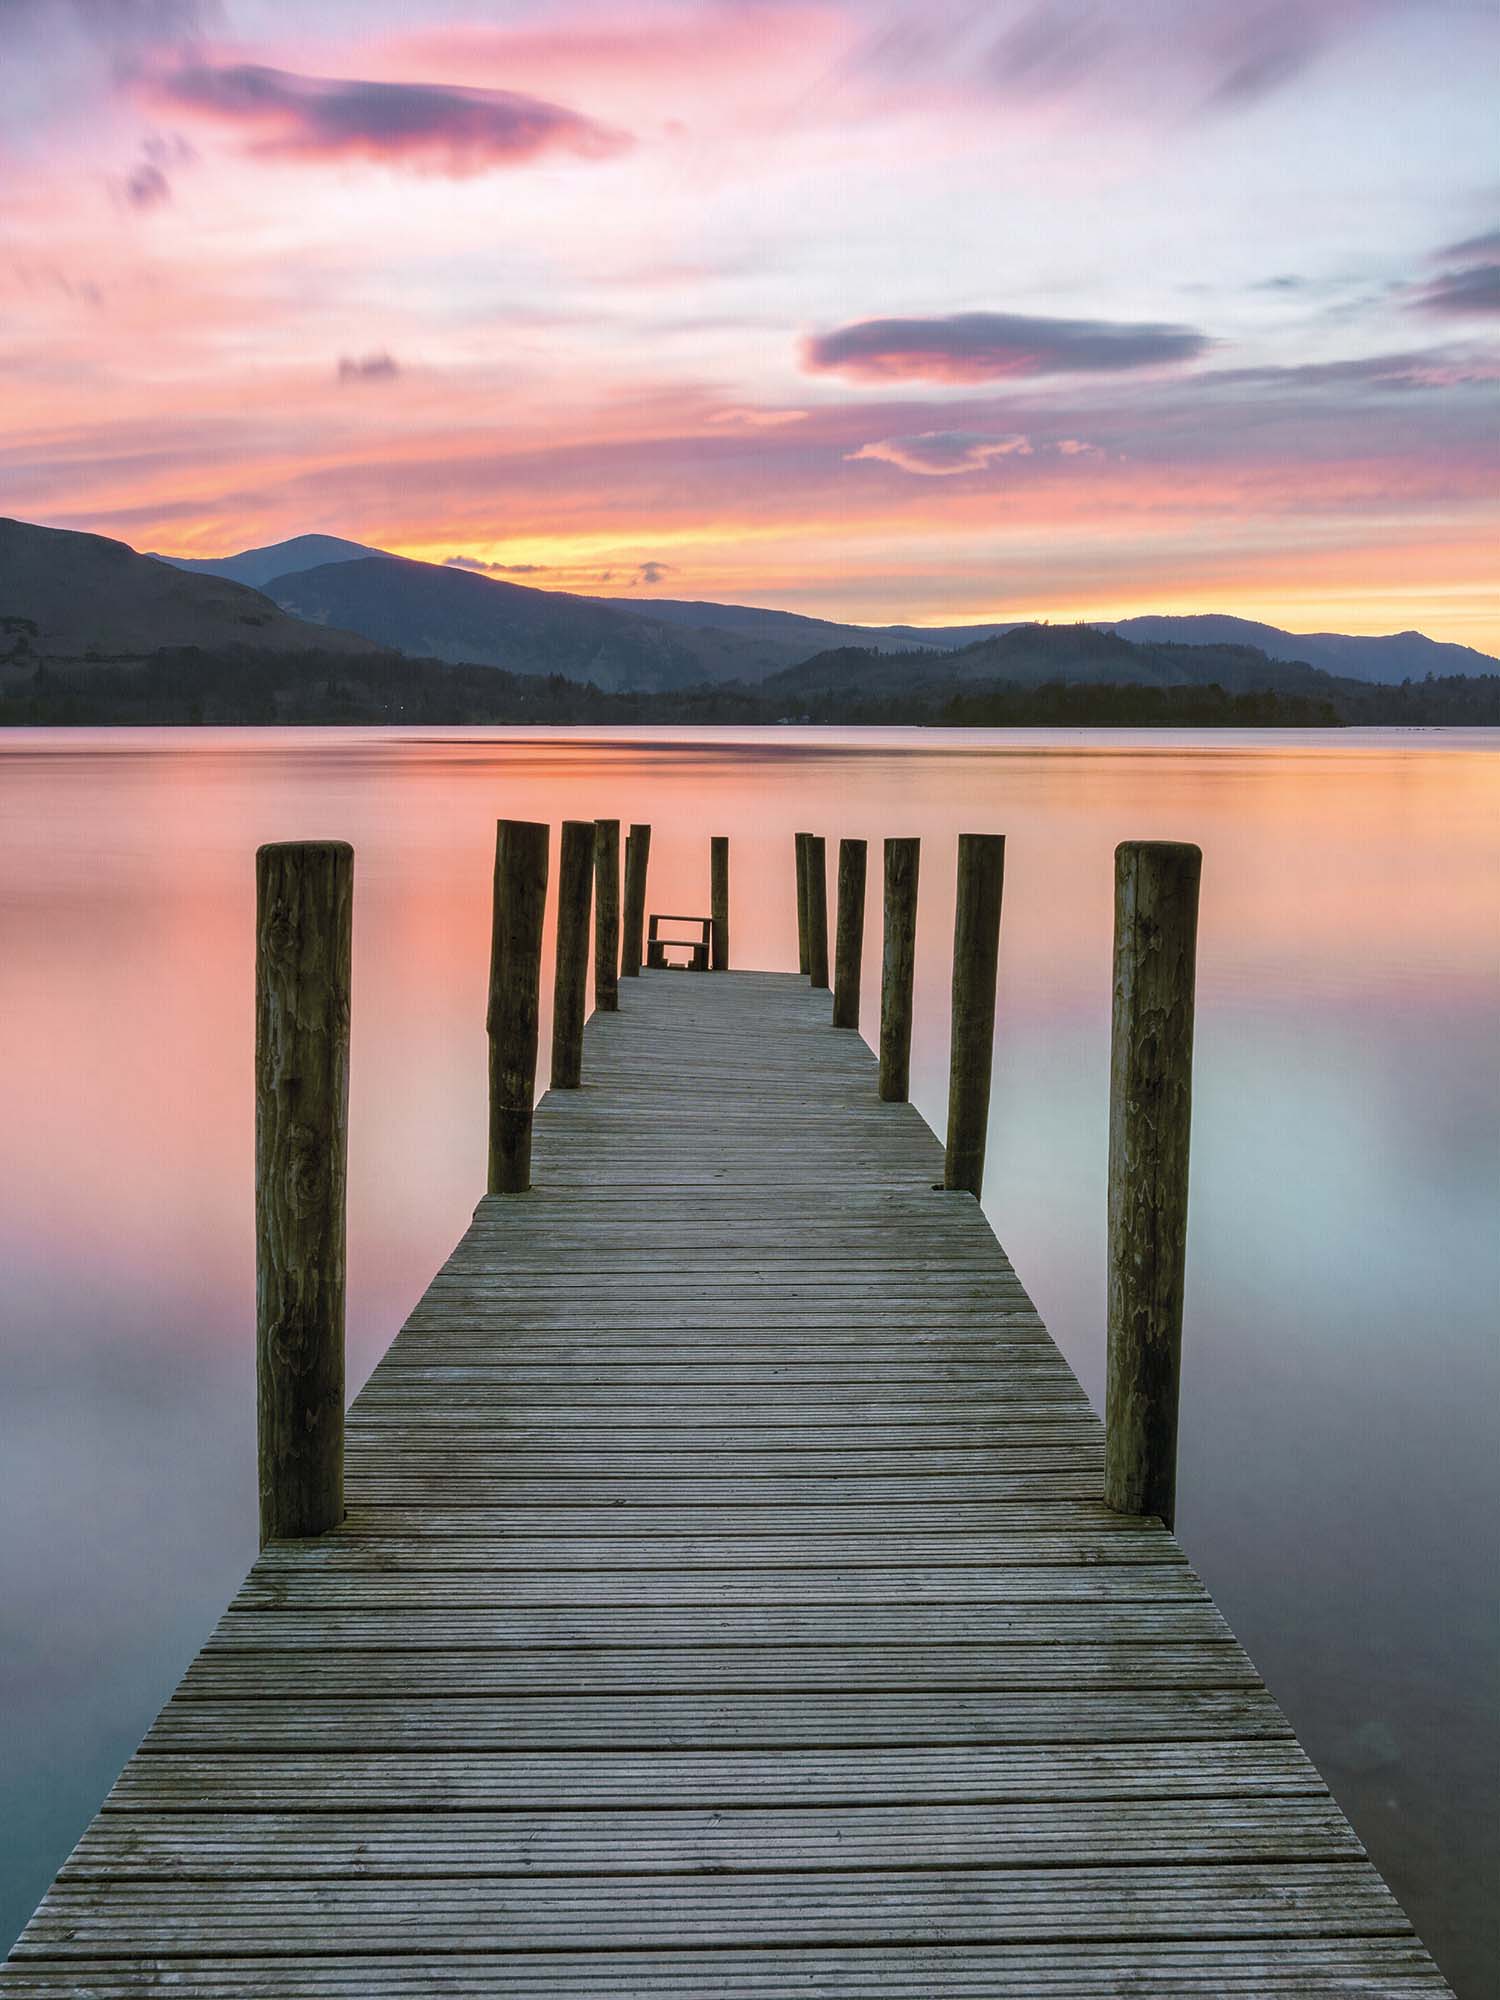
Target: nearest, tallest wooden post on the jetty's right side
<point>1151,1115</point>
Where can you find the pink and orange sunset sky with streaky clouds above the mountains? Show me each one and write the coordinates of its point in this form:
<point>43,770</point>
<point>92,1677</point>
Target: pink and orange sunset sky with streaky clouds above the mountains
<point>935,311</point>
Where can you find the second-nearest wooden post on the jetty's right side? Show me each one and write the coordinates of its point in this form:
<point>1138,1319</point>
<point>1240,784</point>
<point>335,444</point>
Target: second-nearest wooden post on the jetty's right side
<point>977,957</point>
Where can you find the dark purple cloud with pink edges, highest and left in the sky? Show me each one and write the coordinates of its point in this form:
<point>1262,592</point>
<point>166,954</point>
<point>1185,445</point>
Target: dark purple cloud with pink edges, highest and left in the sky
<point>433,129</point>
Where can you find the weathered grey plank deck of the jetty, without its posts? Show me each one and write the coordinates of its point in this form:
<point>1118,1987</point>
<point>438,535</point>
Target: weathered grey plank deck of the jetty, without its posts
<point>725,1607</point>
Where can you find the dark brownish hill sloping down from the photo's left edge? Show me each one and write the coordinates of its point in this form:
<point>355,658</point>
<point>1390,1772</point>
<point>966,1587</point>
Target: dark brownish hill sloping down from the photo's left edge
<point>81,597</point>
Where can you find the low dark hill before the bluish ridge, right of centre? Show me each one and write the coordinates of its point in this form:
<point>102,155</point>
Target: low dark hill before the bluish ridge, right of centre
<point>1035,657</point>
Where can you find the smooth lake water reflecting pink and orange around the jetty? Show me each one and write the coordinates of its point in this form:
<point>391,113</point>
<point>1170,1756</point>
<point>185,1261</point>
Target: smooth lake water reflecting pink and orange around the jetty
<point>1341,1377</point>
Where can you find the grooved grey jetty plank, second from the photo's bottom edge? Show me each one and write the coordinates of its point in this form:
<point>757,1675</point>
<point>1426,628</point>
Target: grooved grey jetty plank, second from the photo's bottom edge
<point>633,1913</point>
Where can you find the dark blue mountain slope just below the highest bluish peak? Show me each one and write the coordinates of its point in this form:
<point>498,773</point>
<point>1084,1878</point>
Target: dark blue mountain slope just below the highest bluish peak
<point>437,613</point>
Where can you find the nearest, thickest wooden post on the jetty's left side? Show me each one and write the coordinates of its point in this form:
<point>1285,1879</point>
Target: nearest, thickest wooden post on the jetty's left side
<point>305,901</point>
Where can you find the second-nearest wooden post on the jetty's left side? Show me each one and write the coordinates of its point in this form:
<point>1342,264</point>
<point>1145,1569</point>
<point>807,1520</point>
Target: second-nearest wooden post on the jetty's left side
<point>515,983</point>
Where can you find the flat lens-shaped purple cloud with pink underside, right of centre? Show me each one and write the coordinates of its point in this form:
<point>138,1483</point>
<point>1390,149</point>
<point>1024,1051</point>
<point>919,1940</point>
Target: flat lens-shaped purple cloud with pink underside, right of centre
<point>981,347</point>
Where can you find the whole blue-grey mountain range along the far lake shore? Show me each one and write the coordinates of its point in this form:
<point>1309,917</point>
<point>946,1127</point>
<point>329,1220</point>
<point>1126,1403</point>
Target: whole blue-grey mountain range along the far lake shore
<point>85,605</point>
